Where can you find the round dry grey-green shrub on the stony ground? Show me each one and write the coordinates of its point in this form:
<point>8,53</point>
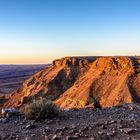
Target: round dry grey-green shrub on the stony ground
<point>41,109</point>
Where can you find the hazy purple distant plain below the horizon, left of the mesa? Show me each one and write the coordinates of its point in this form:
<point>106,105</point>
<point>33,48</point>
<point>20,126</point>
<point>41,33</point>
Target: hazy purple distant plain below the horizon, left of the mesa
<point>12,76</point>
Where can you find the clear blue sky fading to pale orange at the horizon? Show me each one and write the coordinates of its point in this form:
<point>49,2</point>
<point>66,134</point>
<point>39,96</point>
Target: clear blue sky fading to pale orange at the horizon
<point>38,31</point>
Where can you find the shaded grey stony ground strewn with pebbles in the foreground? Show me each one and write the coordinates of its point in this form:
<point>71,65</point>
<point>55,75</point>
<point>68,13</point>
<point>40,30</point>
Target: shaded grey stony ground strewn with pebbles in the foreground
<point>114,123</point>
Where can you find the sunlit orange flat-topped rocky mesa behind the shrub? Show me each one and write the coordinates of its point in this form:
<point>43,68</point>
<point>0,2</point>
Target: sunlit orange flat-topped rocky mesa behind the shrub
<point>79,82</point>
